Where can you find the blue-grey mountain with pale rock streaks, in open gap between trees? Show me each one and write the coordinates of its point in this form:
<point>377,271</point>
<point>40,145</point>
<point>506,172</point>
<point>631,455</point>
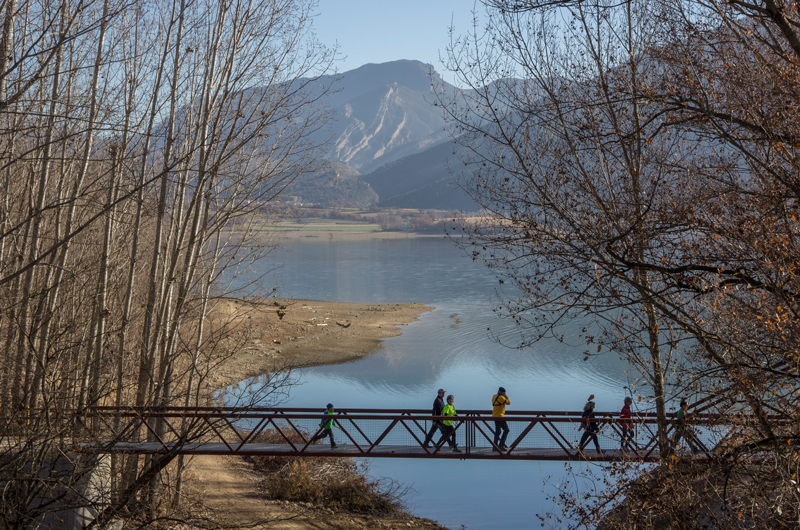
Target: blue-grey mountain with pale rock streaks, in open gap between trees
<point>384,114</point>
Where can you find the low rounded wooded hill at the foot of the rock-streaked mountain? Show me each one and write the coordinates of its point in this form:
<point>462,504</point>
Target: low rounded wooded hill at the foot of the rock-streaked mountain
<point>332,184</point>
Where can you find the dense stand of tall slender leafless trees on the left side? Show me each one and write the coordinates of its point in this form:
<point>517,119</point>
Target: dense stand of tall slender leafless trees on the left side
<point>138,138</point>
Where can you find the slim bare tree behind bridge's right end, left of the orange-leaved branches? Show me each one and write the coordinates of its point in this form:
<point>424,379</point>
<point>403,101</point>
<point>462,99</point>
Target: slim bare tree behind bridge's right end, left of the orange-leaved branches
<point>575,173</point>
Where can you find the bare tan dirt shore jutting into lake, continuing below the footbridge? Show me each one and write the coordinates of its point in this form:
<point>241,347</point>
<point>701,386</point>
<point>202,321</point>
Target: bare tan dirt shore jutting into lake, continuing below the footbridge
<point>297,334</point>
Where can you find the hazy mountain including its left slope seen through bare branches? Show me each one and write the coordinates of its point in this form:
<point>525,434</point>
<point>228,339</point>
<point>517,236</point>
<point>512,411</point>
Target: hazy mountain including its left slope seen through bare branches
<point>384,126</point>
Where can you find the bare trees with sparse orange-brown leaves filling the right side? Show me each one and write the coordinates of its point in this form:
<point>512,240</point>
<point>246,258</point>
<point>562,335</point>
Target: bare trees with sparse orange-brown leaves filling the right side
<point>645,172</point>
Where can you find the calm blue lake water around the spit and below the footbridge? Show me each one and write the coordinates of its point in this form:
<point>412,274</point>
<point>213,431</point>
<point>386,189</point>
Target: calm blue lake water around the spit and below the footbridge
<point>450,347</point>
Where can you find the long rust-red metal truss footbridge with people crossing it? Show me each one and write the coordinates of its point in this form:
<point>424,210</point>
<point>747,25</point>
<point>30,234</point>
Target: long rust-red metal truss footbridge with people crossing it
<point>385,433</point>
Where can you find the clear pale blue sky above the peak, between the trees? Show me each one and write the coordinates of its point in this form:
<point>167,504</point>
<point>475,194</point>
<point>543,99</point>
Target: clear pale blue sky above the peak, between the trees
<point>377,31</point>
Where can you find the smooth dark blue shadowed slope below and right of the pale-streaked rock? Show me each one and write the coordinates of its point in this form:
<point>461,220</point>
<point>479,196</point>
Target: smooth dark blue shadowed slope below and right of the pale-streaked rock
<point>422,180</point>
